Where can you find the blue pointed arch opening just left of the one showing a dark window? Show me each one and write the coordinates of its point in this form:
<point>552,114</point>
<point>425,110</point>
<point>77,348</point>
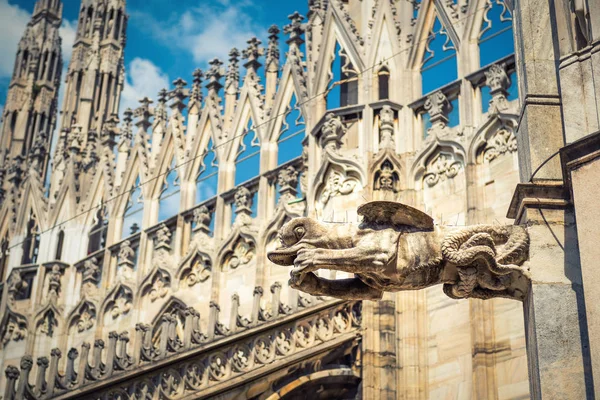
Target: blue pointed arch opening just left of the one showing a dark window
<point>289,143</point>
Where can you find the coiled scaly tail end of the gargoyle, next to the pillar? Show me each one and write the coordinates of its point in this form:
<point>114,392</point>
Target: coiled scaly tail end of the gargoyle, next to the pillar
<point>487,260</point>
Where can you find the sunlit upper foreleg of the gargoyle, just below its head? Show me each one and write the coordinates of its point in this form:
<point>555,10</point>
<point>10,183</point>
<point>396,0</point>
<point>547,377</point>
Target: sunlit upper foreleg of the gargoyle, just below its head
<point>355,259</point>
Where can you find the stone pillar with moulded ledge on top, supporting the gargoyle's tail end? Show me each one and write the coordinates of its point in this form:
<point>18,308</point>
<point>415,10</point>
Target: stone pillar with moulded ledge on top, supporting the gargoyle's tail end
<point>554,310</point>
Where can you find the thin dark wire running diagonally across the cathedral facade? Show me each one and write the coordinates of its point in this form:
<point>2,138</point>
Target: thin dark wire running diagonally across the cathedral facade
<point>340,82</point>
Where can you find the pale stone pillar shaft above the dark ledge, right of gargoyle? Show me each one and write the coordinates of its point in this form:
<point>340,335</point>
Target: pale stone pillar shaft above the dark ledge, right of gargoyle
<point>539,133</point>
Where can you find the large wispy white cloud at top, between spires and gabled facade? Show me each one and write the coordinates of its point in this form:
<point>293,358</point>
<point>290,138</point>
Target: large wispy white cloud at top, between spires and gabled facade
<point>207,32</point>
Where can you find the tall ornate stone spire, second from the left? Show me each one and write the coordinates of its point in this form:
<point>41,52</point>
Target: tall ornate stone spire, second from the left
<point>96,73</point>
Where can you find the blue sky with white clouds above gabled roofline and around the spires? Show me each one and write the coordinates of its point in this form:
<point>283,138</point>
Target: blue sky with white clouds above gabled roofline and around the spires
<point>165,39</point>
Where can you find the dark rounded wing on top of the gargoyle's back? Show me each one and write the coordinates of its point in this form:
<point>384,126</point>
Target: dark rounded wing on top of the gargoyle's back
<point>388,213</point>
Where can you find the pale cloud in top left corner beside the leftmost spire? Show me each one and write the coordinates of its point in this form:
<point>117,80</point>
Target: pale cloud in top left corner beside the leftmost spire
<point>13,20</point>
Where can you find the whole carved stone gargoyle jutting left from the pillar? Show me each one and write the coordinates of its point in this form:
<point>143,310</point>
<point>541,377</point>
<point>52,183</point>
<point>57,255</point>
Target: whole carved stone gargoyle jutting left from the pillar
<point>397,247</point>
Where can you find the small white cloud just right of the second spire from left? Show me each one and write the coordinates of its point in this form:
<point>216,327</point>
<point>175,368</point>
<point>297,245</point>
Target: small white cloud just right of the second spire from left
<point>142,79</point>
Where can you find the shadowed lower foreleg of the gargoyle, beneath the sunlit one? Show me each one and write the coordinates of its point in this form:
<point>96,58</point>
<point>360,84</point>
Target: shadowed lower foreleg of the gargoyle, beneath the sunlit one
<point>346,289</point>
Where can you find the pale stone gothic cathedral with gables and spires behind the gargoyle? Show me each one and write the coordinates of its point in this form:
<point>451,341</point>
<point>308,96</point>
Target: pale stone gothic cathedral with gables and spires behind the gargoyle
<point>133,259</point>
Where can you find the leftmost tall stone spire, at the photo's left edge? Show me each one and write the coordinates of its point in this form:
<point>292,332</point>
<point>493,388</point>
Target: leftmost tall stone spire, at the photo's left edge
<point>30,108</point>
